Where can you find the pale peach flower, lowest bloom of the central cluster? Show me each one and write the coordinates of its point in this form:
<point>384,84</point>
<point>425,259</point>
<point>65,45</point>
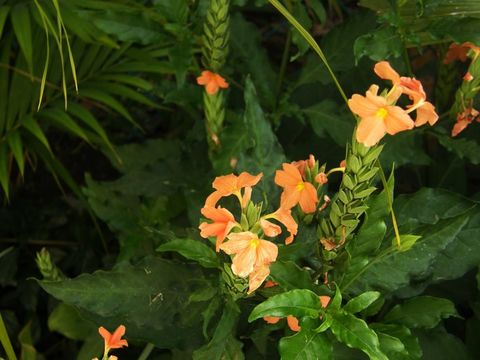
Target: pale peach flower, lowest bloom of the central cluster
<point>252,256</point>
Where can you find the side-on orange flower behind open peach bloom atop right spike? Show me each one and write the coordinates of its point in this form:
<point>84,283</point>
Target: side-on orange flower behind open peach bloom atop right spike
<point>413,89</point>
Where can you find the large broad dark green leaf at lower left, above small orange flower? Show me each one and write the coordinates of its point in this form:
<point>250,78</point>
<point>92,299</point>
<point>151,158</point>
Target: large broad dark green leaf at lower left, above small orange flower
<point>151,300</point>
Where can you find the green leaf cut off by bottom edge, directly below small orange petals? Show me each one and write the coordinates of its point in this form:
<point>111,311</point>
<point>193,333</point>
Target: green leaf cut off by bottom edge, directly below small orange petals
<point>305,345</point>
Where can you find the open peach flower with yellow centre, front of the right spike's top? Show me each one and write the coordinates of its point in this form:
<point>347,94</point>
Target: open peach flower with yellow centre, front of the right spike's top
<point>377,117</point>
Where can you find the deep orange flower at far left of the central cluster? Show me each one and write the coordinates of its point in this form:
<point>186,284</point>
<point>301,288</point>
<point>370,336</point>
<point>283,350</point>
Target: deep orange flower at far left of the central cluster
<point>223,223</point>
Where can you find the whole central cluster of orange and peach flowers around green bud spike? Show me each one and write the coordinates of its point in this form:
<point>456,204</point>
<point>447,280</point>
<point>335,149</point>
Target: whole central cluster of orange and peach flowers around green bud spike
<point>245,240</point>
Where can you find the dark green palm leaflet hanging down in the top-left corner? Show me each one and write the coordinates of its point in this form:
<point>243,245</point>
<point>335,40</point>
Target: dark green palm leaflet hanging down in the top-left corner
<point>23,31</point>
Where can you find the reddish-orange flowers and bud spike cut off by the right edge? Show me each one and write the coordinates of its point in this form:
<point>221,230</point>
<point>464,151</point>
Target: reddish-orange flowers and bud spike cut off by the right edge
<point>465,112</point>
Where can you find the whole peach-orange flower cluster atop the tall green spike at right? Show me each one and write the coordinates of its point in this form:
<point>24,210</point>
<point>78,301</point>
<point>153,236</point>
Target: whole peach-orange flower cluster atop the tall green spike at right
<point>379,114</point>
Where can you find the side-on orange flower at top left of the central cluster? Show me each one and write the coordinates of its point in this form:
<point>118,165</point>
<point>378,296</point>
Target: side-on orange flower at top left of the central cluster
<point>231,185</point>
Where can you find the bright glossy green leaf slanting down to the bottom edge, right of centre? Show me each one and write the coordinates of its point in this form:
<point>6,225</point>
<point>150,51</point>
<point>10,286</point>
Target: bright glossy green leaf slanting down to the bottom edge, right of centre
<point>355,333</point>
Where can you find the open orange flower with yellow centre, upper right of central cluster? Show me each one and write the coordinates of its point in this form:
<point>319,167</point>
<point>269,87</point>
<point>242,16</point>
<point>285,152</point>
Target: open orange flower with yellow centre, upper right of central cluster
<point>295,190</point>
